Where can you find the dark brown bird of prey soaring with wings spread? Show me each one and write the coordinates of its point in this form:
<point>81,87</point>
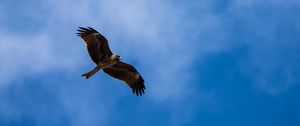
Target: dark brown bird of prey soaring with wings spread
<point>111,64</point>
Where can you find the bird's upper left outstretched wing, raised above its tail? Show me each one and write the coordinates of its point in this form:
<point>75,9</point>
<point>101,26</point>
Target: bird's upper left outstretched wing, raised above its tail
<point>97,44</point>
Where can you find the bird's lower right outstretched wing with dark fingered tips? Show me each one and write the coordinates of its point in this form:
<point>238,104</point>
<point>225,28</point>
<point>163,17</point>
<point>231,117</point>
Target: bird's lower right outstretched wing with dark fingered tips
<point>129,75</point>
